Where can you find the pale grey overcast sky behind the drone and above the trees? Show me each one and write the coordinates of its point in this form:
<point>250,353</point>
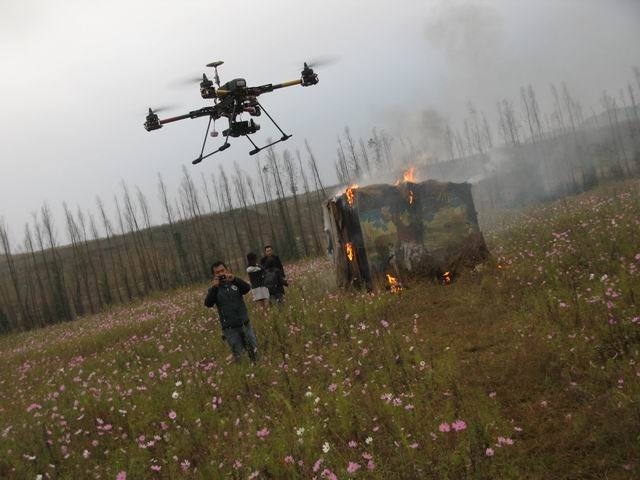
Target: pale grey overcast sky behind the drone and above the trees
<point>78,76</point>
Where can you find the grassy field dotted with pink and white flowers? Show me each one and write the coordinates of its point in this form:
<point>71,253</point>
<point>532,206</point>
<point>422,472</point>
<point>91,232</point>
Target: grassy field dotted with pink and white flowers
<point>525,368</point>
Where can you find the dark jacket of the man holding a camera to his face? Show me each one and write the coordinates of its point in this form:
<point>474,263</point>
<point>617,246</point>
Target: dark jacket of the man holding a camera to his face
<point>228,299</point>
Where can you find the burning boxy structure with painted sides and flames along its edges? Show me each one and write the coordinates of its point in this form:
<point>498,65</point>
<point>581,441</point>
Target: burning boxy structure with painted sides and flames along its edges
<point>383,234</point>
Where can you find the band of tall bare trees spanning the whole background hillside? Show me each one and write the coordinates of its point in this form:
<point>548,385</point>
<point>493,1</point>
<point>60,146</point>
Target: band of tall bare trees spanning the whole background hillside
<point>524,155</point>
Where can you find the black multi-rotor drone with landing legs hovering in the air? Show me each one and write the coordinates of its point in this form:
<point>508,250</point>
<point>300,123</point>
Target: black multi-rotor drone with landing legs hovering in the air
<point>230,101</point>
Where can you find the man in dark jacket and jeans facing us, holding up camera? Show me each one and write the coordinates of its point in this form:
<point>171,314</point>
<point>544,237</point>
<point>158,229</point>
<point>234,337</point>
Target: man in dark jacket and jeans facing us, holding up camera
<point>226,294</point>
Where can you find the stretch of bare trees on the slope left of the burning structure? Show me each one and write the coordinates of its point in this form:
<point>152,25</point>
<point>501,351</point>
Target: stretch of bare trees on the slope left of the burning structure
<point>103,259</point>
